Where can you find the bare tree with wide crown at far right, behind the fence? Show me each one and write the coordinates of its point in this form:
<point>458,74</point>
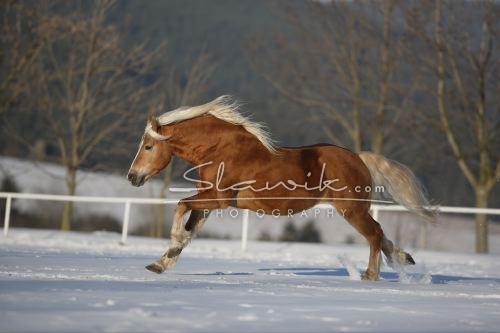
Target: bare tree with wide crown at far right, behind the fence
<point>462,62</point>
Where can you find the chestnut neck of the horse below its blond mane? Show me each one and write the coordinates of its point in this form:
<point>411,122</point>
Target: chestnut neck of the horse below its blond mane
<point>198,139</point>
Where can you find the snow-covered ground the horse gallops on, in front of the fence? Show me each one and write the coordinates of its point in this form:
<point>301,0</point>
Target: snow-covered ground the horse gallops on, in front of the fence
<point>72,282</point>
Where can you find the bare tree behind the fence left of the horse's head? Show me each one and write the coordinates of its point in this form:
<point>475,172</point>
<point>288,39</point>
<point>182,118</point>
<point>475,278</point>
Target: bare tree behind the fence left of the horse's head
<point>88,83</point>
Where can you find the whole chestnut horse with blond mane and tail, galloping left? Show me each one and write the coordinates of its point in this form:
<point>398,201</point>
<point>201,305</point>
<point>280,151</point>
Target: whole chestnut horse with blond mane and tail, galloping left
<point>257,175</point>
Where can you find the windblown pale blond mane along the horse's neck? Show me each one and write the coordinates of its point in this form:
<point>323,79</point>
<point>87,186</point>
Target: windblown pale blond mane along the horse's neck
<point>224,108</point>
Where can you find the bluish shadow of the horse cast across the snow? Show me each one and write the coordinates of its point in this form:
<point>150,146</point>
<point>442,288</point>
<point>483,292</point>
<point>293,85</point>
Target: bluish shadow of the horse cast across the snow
<point>389,276</point>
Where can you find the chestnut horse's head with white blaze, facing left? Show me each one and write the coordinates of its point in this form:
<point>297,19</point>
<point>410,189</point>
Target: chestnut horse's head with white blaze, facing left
<point>153,155</point>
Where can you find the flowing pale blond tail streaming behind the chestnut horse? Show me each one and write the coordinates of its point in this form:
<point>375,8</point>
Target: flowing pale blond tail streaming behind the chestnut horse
<point>400,182</point>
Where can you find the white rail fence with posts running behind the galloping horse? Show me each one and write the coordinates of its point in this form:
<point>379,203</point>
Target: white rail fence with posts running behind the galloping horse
<point>127,202</point>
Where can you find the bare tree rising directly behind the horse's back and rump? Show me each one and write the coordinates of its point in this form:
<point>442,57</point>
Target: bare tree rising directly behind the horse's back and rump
<point>339,60</point>
